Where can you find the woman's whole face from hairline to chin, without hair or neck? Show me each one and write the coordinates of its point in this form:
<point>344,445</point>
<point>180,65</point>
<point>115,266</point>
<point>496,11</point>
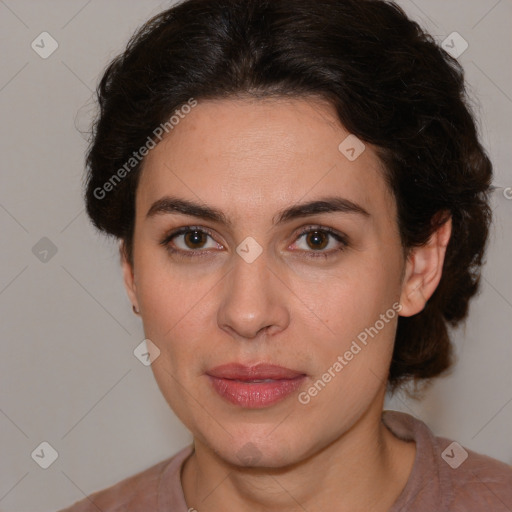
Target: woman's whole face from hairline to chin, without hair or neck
<point>248,286</point>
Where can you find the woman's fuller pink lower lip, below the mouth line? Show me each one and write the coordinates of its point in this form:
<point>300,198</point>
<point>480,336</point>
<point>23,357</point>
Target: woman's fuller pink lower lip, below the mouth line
<point>255,395</point>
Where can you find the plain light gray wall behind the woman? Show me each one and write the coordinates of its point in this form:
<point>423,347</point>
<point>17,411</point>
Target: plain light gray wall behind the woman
<point>67,369</point>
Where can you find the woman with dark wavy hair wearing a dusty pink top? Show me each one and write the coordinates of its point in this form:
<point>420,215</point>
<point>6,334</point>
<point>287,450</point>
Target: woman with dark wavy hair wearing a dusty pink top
<point>301,201</point>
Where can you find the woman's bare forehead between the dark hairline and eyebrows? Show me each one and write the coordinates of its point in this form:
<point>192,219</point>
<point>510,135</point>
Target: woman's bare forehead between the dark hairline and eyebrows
<point>262,155</point>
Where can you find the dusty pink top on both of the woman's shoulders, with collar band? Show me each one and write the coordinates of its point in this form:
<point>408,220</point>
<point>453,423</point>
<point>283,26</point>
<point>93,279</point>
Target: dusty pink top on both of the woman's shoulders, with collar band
<point>445,478</point>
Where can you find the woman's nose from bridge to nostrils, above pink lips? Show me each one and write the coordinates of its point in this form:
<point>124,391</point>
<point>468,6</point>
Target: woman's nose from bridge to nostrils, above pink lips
<point>254,300</point>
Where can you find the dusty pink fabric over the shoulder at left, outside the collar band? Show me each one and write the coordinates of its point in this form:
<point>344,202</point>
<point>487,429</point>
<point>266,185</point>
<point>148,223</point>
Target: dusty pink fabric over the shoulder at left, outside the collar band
<point>136,493</point>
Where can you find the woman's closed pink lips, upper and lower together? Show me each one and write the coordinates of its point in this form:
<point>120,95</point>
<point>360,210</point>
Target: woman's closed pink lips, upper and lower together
<point>235,383</point>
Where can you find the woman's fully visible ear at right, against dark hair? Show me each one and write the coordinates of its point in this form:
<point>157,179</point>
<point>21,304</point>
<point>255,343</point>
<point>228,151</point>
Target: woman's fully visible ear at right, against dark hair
<point>424,268</point>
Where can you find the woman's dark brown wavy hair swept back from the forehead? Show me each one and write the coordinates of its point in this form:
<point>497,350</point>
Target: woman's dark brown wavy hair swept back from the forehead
<point>391,85</point>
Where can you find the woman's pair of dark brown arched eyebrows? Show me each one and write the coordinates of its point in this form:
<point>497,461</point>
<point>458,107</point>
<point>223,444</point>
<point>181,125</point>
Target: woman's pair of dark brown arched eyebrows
<point>333,204</point>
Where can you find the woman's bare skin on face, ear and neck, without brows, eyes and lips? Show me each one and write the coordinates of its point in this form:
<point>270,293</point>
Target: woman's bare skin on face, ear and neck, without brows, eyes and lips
<point>251,159</point>
